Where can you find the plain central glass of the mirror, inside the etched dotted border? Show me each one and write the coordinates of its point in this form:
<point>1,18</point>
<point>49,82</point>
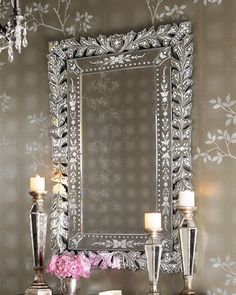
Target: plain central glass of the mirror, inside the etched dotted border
<point>118,150</point>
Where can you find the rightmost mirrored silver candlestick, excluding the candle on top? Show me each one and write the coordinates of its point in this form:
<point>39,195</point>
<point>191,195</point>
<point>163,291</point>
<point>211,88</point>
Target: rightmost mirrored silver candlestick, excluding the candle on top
<point>188,237</point>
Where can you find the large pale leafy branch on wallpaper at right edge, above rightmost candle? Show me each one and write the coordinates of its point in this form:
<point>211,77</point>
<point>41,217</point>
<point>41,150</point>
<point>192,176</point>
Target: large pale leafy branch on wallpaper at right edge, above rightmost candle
<point>220,141</point>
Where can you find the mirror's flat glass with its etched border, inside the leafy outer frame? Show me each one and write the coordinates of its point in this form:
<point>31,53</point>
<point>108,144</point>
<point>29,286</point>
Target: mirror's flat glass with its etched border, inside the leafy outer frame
<point>120,127</point>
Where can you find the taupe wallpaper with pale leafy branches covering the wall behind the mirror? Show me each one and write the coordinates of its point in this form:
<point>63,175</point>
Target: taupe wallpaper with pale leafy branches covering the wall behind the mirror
<point>25,143</point>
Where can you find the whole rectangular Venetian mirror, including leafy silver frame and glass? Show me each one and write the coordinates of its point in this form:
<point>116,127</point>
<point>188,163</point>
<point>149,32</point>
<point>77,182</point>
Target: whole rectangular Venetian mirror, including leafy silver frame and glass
<point>121,135</point>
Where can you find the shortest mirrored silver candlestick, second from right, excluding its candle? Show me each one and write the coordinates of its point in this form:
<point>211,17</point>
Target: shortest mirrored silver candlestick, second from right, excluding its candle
<point>153,250</point>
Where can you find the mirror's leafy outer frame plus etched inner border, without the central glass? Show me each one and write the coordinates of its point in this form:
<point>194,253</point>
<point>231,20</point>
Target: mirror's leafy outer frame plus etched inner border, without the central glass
<point>173,160</point>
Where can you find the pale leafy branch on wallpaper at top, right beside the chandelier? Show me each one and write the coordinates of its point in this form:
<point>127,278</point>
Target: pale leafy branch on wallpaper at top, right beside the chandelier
<point>37,17</point>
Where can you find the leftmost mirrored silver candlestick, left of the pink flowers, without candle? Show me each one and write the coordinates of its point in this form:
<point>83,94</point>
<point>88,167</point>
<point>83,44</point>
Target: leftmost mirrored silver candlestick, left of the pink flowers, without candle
<point>38,229</point>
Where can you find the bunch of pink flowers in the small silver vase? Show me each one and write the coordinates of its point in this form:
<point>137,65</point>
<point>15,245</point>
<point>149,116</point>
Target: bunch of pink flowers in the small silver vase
<point>69,265</point>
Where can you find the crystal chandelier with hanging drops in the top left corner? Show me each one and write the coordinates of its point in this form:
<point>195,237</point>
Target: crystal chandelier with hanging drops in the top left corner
<point>13,33</point>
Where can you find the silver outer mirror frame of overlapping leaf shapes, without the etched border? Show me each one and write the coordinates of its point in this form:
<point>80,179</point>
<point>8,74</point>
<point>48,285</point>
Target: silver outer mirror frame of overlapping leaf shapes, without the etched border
<point>179,39</point>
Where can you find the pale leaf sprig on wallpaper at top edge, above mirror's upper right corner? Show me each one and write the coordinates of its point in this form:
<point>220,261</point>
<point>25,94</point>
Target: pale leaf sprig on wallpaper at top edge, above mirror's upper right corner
<point>161,13</point>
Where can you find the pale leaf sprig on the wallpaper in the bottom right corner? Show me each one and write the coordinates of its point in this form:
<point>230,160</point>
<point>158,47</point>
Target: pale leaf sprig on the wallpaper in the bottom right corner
<point>226,267</point>
